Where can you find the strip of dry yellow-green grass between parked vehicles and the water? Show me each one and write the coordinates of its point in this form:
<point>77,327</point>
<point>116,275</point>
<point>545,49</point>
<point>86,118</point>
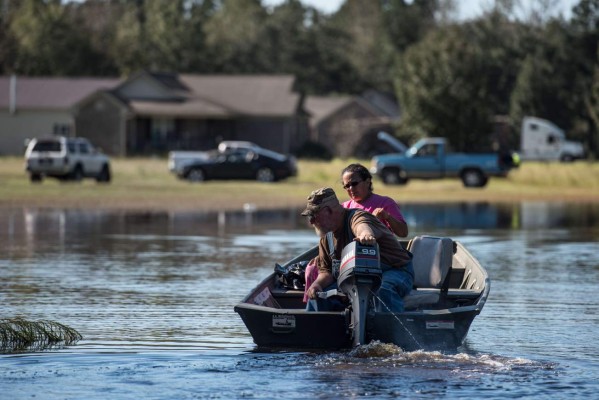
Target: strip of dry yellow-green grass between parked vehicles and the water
<point>145,183</point>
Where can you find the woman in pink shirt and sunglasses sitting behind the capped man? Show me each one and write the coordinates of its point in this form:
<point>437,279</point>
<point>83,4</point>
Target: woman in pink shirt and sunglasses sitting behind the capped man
<point>357,181</point>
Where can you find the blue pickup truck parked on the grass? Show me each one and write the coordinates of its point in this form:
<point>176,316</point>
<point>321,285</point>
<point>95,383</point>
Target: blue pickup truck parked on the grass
<point>430,158</point>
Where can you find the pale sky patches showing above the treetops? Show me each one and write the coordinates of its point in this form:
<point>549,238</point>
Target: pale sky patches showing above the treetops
<point>467,8</point>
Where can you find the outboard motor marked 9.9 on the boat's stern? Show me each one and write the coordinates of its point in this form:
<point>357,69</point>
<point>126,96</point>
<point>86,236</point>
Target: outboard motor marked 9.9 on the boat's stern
<point>360,276</point>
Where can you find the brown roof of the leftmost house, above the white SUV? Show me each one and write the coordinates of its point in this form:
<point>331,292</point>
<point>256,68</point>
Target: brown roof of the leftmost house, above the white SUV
<point>51,93</point>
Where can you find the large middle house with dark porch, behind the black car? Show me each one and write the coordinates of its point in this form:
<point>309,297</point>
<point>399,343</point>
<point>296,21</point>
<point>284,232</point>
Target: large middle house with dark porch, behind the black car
<point>153,113</point>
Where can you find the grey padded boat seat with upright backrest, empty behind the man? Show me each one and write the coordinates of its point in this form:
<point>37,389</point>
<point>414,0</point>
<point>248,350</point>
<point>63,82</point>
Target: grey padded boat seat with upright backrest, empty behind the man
<point>432,263</point>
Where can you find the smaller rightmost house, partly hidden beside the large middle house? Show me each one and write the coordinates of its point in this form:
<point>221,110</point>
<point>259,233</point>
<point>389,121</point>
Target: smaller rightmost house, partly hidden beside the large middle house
<point>348,125</point>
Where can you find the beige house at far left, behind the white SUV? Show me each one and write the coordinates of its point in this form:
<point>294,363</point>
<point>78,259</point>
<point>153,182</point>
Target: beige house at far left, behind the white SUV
<point>33,107</point>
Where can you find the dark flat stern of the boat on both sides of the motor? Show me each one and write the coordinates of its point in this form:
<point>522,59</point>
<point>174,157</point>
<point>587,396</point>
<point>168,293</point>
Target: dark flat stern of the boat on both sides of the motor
<point>271,327</point>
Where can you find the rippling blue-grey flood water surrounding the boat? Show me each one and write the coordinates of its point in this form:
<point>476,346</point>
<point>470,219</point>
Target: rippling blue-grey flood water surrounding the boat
<point>153,296</point>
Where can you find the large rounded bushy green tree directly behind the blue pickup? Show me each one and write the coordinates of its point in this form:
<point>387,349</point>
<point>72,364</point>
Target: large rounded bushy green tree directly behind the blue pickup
<point>457,79</point>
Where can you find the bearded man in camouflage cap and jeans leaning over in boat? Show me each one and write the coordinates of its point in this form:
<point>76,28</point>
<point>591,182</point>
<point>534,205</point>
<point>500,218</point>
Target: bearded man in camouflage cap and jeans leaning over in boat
<point>327,215</point>
